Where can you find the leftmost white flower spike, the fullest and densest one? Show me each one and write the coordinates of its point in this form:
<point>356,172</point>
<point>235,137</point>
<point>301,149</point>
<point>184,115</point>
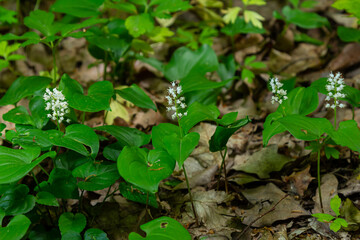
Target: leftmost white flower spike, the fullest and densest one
<point>57,104</point>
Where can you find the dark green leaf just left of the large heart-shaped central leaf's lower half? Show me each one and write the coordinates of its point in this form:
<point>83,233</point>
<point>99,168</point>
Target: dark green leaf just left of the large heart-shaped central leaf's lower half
<point>96,176</point>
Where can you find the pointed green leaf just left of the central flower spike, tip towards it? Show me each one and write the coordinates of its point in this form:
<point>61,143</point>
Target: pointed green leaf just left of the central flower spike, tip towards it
<point>137,96</point>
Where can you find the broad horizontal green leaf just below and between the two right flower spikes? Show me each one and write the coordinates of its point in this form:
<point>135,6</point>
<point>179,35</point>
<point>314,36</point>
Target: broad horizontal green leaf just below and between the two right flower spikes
<point>305,128</point>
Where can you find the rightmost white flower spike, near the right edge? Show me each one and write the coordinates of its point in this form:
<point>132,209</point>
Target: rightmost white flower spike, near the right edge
<point>335,84</point>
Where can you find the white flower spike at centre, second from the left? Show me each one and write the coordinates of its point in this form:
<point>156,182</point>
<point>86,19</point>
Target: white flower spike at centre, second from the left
<point>175,101</point>
